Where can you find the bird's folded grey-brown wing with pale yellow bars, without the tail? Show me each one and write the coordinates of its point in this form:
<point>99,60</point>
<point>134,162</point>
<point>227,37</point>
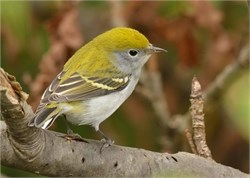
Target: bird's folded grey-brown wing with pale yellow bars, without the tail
<point>78,87</point>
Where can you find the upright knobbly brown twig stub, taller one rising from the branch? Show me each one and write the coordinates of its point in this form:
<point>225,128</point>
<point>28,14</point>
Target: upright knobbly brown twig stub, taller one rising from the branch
<point>196,111</point>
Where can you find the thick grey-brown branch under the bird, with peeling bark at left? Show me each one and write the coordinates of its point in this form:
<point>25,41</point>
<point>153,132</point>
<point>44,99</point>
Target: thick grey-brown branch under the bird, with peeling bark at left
<point>46,153</point>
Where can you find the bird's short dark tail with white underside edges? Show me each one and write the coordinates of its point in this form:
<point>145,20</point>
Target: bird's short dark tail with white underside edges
<point>45,118</point>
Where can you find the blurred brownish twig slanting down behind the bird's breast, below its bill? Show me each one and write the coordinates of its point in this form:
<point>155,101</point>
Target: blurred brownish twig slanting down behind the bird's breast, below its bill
<point>152,89</point>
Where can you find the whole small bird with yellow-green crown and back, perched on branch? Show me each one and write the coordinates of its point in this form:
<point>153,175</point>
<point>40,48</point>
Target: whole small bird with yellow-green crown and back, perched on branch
<point>96,80</point>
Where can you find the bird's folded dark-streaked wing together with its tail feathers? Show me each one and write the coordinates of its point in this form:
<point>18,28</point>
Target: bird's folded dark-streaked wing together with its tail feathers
<point>75,88</point>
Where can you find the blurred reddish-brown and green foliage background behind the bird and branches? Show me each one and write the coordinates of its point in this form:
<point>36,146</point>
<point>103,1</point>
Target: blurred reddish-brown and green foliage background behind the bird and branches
<point>202,38</point>
